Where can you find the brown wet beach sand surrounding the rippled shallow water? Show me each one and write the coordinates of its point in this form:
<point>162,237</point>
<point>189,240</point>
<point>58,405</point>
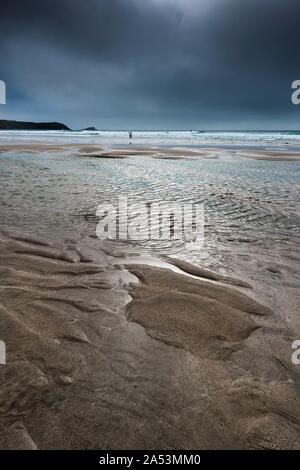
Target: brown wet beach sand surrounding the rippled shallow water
<point>109,348</point>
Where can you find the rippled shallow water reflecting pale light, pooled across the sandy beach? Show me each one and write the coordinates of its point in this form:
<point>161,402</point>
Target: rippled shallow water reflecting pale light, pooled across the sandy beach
<point>245,199</point>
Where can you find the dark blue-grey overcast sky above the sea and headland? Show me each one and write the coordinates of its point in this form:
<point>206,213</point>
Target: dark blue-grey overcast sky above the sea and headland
<point>151,64</point>
